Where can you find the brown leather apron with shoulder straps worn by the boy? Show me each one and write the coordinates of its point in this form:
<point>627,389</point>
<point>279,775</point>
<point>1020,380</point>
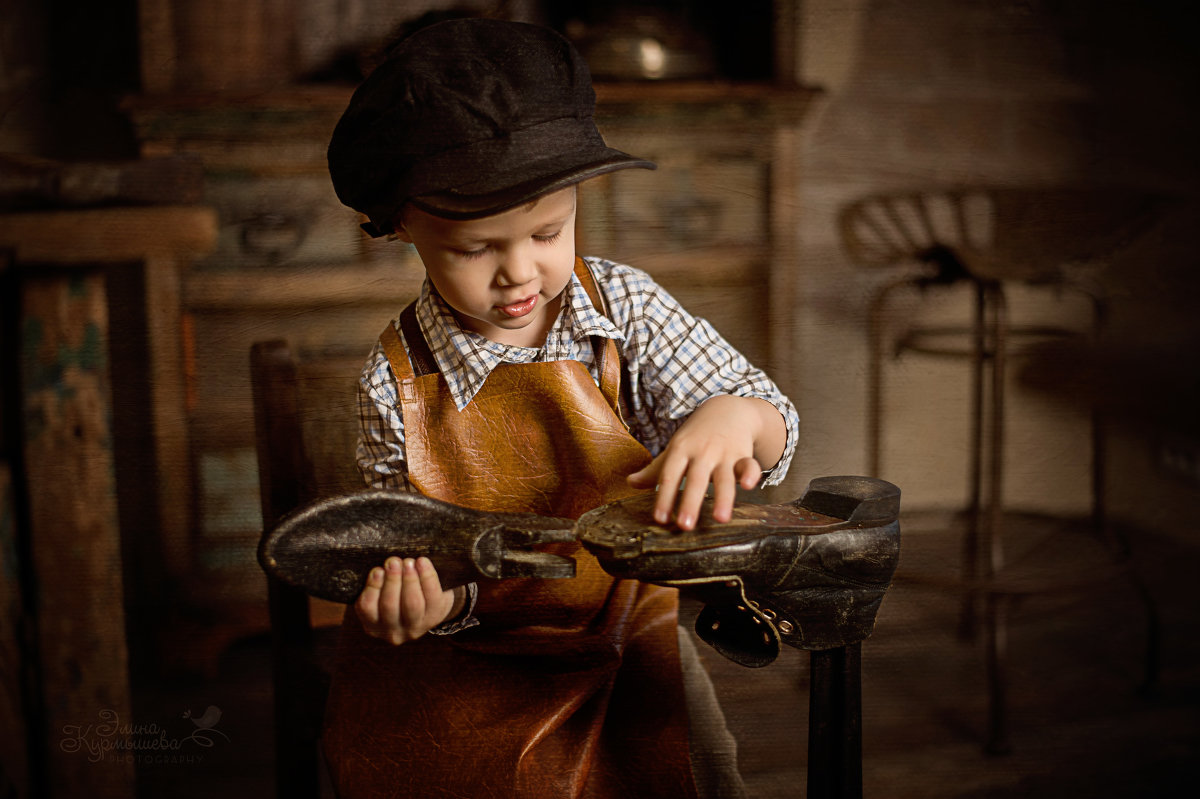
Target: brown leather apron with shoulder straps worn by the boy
<point>568,688</point>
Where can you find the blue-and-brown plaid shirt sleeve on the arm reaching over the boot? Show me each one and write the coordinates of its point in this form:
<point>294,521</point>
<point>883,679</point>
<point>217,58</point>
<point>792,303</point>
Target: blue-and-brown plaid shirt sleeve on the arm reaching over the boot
<point>676,362</point>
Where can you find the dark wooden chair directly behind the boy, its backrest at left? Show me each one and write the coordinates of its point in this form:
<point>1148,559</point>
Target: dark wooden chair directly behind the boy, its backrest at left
<point>307,429</point>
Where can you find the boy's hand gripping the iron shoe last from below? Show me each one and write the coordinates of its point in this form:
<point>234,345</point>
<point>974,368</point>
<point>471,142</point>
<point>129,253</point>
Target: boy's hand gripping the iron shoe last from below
<point>404,600</point>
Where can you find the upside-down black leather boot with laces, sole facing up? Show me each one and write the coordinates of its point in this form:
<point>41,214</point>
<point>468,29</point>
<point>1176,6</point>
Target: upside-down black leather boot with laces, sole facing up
<point>811,574</point>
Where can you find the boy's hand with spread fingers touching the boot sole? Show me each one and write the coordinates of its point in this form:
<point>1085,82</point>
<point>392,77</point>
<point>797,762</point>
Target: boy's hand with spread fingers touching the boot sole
<point>724,443</point>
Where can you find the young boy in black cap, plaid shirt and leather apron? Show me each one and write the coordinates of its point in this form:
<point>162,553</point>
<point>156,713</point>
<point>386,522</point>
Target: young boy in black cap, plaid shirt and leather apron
<point>526,379</point>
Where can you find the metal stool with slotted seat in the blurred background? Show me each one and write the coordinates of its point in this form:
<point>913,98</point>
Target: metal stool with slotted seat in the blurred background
<point>989,241</point>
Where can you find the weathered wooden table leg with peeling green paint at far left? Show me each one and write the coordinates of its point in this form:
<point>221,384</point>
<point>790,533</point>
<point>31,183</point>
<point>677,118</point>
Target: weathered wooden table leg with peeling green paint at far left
<point>75,536</point>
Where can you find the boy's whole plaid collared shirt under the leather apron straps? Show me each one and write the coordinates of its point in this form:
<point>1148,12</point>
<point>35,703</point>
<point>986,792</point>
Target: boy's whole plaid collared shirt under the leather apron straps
<point>674,362</point>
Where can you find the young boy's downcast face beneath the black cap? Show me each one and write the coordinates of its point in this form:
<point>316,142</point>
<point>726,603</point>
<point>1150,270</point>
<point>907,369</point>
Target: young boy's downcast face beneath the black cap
<point>502,275</point>
